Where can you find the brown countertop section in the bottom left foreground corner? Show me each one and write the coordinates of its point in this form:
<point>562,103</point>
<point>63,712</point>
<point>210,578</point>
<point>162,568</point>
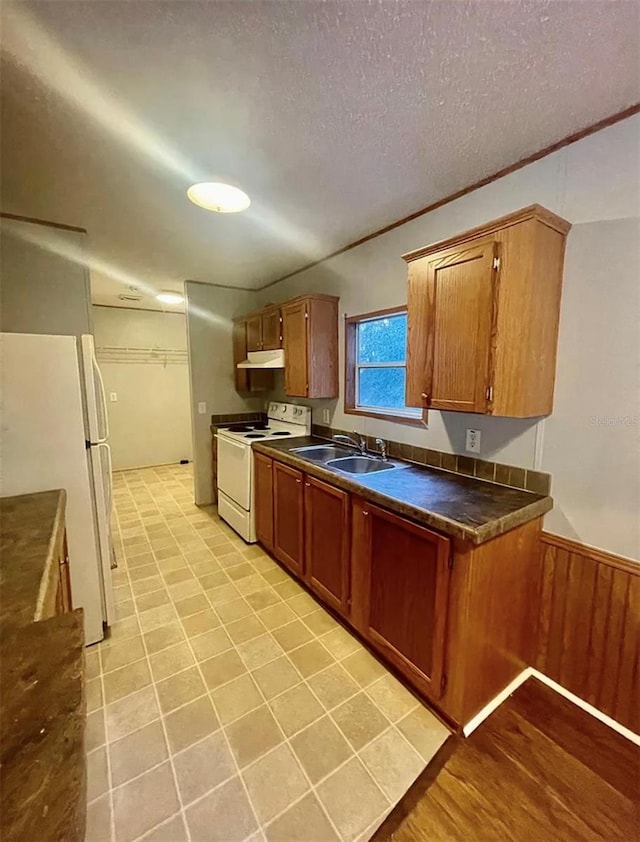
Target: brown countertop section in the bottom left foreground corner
<point>42,721</point>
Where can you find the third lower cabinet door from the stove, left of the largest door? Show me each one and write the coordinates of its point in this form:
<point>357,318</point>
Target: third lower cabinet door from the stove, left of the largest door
<point>328,542</point>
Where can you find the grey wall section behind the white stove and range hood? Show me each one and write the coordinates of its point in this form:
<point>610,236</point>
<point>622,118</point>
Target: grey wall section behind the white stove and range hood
<point>210,313</point>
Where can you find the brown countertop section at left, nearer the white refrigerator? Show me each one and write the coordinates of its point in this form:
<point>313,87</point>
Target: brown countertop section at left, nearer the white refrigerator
<point>31,533</point>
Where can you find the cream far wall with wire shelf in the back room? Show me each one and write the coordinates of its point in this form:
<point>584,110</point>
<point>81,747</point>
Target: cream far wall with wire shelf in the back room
<point>150,421</point>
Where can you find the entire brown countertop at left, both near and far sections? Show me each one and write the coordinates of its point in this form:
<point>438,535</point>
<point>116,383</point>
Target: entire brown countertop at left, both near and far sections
<point>42,707</point>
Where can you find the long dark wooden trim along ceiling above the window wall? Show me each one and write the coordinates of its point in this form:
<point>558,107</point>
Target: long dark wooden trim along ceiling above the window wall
<point>476,185</point>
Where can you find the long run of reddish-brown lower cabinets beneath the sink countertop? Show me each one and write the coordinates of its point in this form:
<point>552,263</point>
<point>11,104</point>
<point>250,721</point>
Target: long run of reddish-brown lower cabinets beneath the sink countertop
<point>457,620</point>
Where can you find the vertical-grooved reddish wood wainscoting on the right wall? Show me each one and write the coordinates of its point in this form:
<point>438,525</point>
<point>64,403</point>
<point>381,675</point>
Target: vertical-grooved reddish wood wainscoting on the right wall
<point>589,626</point>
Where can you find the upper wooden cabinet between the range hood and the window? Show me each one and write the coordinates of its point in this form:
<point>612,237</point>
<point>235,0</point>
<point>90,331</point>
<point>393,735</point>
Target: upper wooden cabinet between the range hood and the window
<point>310,342</point>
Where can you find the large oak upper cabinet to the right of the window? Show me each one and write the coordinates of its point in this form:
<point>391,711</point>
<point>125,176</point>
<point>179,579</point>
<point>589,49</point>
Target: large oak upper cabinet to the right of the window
<point>483,312</point>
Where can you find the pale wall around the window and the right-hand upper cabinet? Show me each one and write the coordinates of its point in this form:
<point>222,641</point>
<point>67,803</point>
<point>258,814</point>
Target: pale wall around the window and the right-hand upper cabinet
<point>595,184</point>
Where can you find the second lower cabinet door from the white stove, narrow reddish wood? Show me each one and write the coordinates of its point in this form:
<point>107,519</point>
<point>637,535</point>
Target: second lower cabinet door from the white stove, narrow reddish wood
<point>288,517</point>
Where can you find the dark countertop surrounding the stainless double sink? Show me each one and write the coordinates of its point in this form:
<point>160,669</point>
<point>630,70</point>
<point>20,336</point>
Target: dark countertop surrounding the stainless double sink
<point>460,506</point>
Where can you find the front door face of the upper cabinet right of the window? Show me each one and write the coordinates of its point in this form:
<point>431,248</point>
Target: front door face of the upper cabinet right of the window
<point>451,314</point>
